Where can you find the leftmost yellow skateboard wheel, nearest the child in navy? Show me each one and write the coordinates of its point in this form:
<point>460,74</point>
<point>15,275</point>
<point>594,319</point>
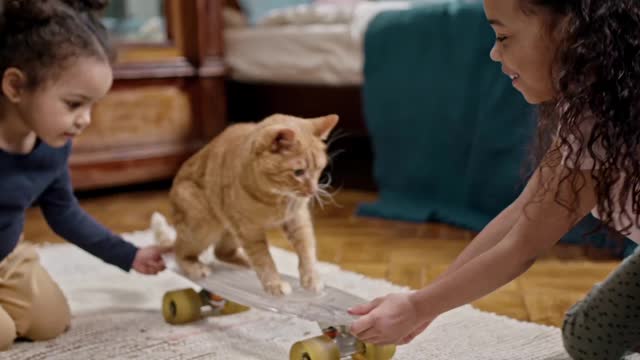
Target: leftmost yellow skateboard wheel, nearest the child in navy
<point>181,306</point>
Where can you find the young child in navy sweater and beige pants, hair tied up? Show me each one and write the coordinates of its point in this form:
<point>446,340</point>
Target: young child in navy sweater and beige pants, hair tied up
<point>54,65</point>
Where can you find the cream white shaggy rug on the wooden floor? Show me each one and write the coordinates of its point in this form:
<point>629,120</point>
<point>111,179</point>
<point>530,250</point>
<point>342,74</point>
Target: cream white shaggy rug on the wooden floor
<point>117,316</point>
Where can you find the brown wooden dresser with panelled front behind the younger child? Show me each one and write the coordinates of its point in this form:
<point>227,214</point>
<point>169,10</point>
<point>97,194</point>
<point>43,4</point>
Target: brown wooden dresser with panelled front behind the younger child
<point>168,98</point>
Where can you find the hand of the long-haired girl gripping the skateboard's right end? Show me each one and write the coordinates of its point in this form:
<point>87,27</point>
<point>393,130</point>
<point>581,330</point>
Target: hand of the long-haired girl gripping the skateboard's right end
<point>392,319</point>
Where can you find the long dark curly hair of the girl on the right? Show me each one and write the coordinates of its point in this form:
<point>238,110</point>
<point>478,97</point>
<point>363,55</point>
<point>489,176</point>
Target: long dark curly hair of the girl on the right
<point>595,113</point>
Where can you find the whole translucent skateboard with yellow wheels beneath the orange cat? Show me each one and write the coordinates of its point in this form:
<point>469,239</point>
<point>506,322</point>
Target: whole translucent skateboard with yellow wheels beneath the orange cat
<point>232,289</point>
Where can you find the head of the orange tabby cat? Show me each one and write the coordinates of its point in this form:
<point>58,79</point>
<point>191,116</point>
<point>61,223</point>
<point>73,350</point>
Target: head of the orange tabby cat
<point>290,154</point>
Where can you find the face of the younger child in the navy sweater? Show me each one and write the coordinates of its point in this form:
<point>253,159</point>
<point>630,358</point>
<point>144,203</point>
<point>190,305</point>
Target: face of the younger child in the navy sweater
<point>60,109</point>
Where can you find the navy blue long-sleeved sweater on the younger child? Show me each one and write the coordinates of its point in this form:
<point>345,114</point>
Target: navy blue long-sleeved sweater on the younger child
<point>42,177</point>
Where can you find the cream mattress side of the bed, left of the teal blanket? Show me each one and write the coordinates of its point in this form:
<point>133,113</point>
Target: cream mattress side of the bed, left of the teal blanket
<point>314,54</point>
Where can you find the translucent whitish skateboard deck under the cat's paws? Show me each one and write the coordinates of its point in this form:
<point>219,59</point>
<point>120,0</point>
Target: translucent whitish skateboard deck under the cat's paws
<point>241,285</point>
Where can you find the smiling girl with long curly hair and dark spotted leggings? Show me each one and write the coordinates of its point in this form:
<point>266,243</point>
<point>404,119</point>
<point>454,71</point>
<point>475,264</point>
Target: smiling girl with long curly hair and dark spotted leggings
<point>579,60</point>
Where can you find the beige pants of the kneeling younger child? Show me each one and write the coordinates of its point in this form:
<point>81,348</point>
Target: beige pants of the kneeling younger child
<point>32,305</point>
